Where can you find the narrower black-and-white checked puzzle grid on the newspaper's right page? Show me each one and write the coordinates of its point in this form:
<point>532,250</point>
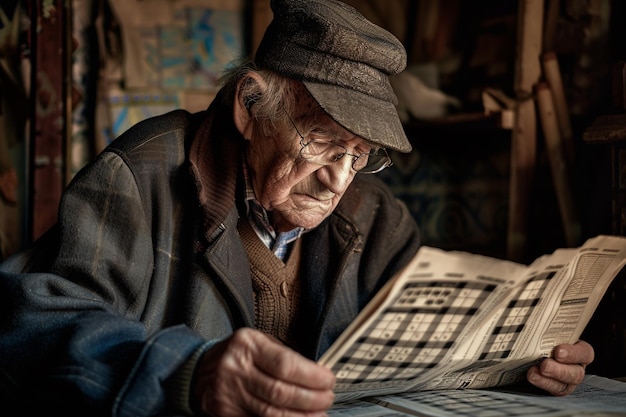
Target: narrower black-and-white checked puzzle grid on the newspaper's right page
<point>514,318</point>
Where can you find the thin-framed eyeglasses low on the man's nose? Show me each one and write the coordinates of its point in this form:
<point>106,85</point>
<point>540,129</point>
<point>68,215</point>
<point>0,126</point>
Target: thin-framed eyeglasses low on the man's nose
<point>326,152</point>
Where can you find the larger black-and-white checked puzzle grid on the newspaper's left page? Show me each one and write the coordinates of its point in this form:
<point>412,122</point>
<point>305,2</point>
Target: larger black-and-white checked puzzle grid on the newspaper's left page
<point>426,315</point>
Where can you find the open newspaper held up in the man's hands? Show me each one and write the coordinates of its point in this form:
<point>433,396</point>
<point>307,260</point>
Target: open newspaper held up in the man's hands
<point>459,320</point>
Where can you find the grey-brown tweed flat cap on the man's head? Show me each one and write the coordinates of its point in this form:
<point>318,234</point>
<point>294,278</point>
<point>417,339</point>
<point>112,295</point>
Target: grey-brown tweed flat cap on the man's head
<point>344,61</point>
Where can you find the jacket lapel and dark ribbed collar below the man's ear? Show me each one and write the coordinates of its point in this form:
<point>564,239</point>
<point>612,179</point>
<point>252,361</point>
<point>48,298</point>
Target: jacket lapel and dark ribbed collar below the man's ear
<point>214,157</point>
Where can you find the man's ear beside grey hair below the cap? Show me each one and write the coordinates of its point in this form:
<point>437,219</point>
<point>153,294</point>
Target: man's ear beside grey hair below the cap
<point>243,105</point>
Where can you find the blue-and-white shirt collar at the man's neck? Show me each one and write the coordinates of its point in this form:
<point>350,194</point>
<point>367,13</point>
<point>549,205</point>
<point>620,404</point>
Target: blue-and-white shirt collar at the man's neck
<point>280,243</point>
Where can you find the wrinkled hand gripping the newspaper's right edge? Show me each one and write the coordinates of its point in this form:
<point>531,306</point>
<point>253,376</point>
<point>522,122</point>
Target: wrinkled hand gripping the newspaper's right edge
<point>560,374</point>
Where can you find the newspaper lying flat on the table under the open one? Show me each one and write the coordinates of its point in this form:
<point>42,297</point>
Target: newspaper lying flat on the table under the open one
<point>596,396</point>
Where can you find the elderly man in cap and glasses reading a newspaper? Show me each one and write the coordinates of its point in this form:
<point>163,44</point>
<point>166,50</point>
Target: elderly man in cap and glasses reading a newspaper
<point>203,262</point>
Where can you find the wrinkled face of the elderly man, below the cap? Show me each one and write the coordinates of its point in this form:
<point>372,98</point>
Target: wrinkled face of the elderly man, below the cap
<point>296,192</point>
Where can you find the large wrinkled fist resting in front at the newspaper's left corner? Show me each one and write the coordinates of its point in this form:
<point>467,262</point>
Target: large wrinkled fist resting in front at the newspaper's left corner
<point>253,374</point>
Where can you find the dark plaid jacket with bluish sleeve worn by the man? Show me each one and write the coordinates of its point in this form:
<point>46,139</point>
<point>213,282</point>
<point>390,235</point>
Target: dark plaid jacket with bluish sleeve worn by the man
<point>145,265</point>
